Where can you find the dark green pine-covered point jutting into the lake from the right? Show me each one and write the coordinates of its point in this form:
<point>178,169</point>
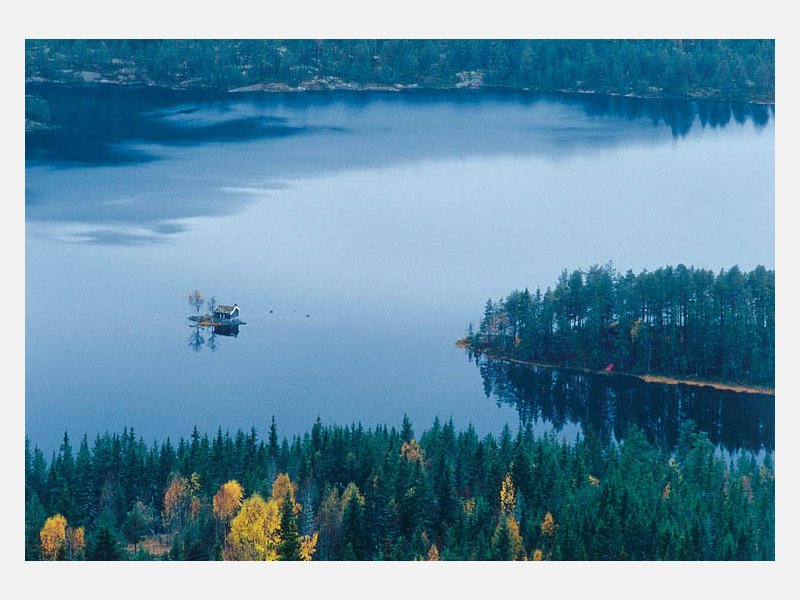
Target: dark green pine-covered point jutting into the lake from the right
<point>672,321</point>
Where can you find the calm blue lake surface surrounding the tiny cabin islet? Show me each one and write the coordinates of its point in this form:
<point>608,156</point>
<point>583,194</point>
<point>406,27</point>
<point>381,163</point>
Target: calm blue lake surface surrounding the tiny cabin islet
<point>360,233</point>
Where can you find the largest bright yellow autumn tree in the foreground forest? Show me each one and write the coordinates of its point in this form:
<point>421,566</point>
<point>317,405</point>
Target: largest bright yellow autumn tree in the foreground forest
<point>255,531</point>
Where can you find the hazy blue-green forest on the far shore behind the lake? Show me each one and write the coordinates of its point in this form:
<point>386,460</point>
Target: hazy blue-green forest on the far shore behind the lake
<point>720,69</point>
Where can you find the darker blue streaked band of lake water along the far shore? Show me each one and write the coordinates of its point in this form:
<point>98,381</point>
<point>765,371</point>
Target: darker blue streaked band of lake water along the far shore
<point>127,166</point>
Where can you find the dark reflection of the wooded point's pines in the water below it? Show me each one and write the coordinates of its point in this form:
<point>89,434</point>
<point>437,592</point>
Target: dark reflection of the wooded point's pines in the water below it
<point>611,404</point>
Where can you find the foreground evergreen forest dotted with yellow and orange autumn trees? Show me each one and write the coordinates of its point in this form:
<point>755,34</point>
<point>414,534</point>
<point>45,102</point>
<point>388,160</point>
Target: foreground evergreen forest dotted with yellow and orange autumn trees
<point>346,493</point>
